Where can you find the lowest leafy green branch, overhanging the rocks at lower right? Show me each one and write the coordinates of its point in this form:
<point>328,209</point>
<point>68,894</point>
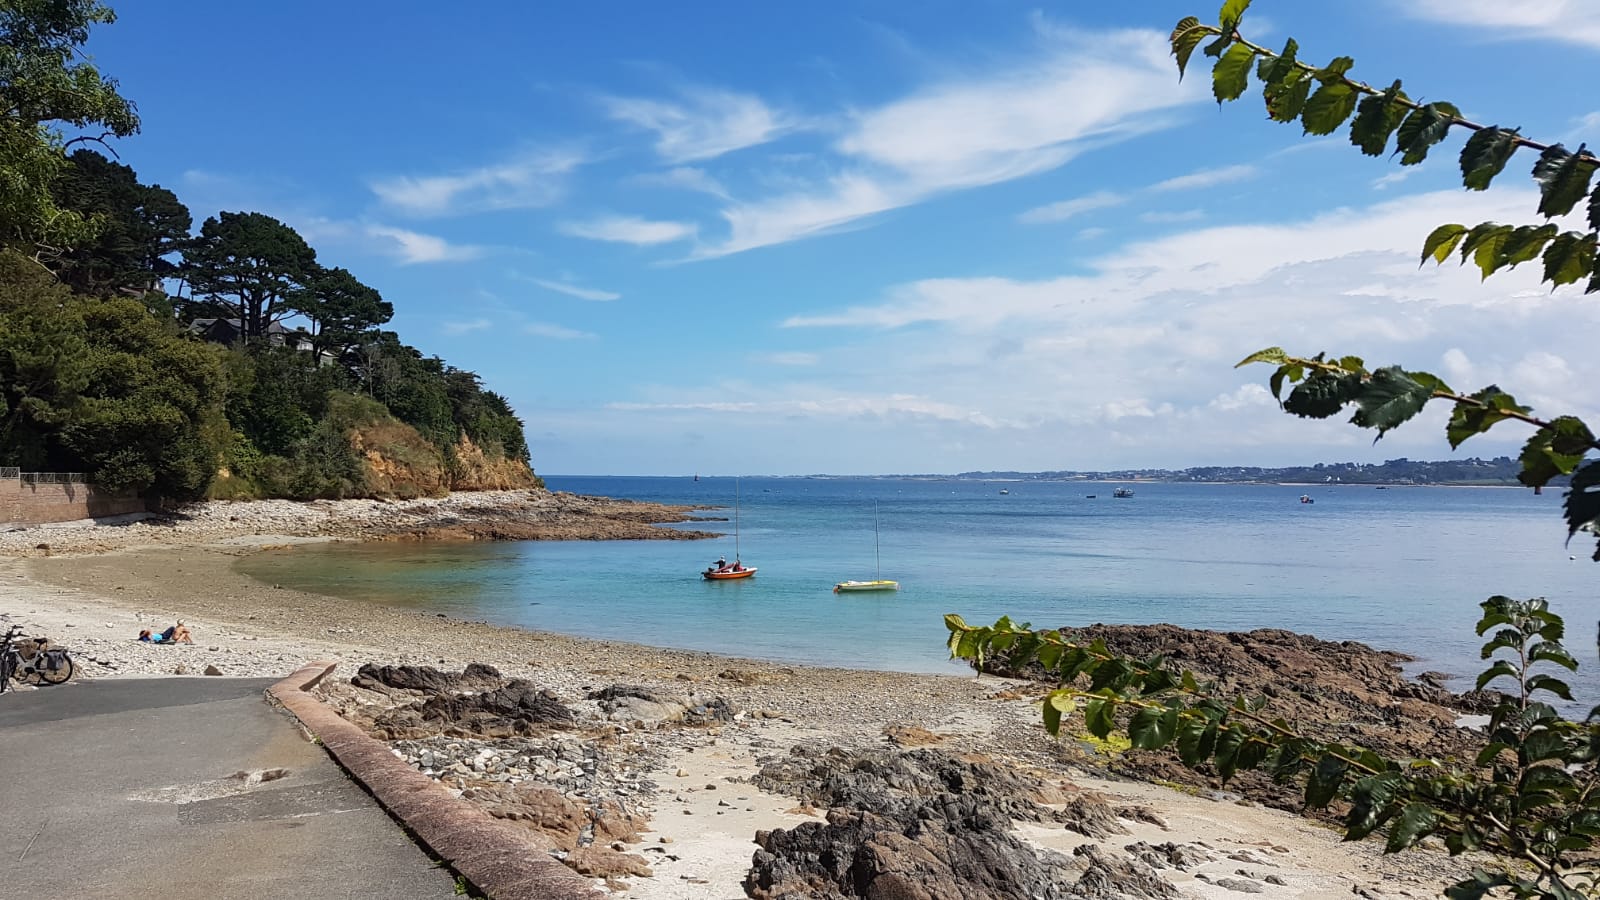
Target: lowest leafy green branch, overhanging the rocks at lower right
<point>1530,798</point>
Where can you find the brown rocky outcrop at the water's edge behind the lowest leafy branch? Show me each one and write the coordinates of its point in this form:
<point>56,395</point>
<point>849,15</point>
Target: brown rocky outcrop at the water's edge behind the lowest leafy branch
<point>1345,693</point>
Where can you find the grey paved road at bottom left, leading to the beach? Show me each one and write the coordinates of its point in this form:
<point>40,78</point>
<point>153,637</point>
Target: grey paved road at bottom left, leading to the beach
<point>126,789</point>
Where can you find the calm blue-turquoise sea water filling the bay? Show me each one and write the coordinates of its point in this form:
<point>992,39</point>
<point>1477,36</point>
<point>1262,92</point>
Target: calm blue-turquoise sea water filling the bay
<point>1399,569</point>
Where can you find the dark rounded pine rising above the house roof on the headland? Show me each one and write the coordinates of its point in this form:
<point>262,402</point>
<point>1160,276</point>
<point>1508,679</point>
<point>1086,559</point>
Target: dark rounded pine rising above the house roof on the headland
<point>250,267</point>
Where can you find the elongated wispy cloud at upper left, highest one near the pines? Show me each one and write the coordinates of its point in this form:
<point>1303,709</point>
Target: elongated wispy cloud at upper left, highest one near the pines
<point>532,180</point>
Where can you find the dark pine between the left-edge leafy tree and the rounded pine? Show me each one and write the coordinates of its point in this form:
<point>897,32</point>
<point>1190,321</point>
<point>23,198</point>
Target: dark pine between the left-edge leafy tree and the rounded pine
<point>142,228</point>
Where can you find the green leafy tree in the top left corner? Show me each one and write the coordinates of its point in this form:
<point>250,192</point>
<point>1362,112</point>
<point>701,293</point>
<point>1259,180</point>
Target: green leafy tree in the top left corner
<point>46,86</point>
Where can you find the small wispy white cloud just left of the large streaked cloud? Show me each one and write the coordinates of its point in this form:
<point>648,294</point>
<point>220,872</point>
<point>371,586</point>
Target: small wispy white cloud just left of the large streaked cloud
<point>705,124</point>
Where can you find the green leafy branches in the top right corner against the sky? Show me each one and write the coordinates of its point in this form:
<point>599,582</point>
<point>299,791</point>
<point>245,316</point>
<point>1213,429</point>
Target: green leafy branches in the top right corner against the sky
<point>1322,98</point>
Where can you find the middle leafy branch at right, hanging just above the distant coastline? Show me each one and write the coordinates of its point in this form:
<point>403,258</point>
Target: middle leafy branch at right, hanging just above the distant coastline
<point>1390,396</point>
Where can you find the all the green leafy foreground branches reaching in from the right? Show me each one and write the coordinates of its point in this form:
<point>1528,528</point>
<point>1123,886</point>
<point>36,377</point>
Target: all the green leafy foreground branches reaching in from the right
<point>1534,794</point>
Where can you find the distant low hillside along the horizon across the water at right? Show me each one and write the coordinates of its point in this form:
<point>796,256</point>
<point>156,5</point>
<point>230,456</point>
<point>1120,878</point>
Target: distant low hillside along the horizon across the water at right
<point>1473,472</point>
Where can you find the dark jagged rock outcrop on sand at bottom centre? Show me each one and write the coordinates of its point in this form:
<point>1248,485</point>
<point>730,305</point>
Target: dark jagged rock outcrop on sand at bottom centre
<point>929,826</point>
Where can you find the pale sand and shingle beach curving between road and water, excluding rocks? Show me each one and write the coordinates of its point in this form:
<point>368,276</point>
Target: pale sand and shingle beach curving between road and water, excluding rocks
<point>692,787</point>
